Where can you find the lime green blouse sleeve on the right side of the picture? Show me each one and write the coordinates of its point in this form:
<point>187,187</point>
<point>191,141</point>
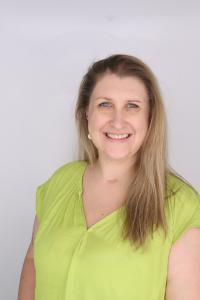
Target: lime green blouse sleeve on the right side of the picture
<point>186,211</point>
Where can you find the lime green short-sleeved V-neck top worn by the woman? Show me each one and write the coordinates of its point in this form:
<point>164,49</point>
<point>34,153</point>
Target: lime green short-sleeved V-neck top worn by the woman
<point>73,262</point>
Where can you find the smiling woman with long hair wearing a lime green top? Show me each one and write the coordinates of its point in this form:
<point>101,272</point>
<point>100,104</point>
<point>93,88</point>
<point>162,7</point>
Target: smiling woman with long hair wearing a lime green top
<point>116,224</point>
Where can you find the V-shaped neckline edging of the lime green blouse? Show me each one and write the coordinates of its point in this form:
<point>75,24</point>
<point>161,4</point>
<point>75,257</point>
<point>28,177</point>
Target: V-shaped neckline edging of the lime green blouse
<point>83,215</point>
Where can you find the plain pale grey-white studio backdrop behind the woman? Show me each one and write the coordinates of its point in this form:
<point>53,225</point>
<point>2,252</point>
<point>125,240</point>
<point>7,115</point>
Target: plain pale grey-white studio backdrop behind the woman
<point>45,49</point>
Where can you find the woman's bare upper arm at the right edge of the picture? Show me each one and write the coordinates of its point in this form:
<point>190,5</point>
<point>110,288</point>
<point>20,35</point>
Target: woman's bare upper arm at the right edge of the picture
<point>184,267</point>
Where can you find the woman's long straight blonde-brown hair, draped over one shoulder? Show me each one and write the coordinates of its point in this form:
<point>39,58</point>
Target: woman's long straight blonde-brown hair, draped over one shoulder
<point>147,193</point>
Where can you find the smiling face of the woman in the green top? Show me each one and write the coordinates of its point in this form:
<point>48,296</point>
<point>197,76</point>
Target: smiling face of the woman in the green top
<point>118,116</point>
